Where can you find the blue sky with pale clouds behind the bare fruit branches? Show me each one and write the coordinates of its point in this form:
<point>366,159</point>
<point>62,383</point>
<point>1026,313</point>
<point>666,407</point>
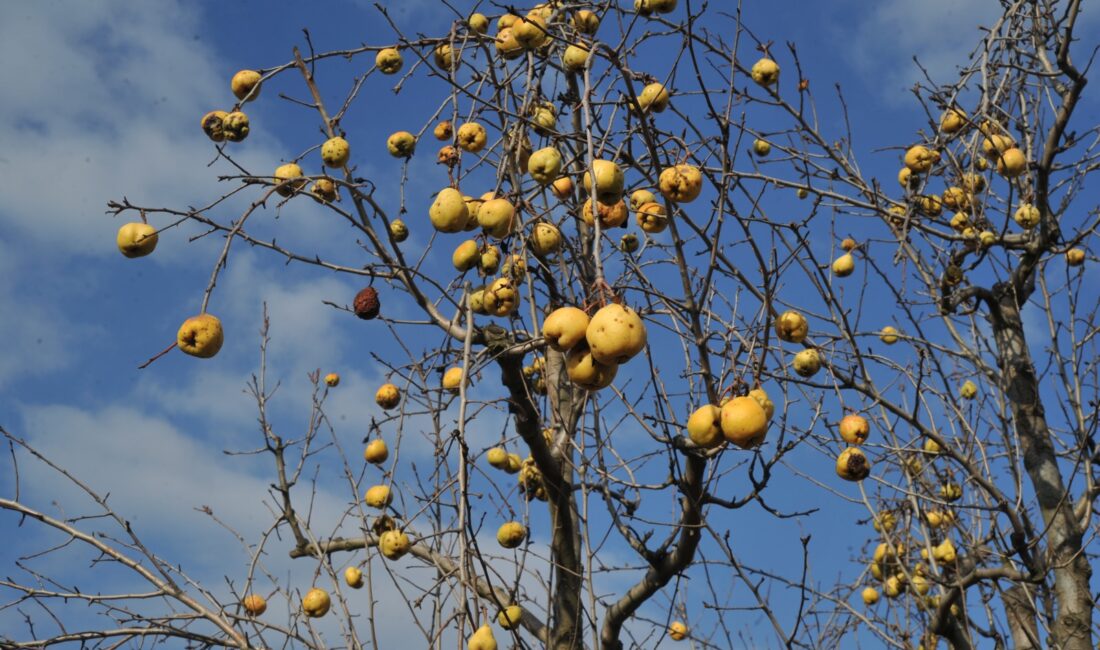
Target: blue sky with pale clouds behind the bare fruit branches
<point>105,104</point>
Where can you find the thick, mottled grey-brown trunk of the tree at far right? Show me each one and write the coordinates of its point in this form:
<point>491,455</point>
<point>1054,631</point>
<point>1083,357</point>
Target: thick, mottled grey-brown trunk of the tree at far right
<point>1072,629</point>
